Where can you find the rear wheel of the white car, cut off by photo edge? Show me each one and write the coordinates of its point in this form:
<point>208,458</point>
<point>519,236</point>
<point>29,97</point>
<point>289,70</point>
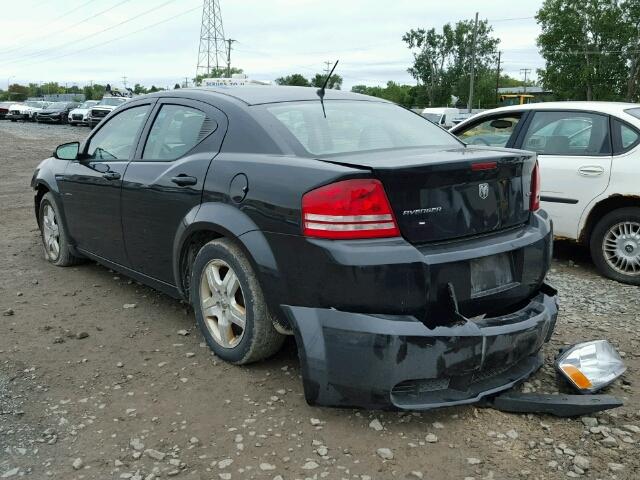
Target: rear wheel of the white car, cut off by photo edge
<point>615,245</point>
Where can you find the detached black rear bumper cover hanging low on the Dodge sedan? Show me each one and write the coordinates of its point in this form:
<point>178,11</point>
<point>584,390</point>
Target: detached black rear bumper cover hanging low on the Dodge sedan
<point>381,361</point>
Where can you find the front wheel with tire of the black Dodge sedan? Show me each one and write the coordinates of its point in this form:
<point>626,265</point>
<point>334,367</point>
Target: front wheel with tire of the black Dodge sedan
<point>54,236</point>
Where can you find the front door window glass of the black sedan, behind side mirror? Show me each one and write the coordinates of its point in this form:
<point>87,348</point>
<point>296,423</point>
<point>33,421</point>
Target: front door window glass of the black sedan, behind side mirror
<point>116,139</point>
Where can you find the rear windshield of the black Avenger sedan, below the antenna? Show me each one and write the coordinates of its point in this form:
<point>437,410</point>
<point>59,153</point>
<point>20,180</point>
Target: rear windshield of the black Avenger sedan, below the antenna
<point>357,126</point>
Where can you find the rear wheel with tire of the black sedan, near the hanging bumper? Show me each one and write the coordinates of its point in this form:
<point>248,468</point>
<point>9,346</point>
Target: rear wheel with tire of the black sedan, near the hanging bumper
<point>229,305</point>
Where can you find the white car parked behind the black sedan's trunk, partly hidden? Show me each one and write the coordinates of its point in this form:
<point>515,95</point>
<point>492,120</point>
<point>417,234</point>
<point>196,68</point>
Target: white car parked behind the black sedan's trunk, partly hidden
<point>589,156</point>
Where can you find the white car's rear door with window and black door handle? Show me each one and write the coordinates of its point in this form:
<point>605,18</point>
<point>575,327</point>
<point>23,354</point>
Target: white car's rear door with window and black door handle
<point>574,152</point>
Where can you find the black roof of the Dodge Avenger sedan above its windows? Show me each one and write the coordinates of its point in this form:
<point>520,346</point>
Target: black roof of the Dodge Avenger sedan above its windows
<point>256,95</point>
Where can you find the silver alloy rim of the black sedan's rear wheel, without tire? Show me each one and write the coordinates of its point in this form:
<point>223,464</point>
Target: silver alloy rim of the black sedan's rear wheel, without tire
<point>222,303</point>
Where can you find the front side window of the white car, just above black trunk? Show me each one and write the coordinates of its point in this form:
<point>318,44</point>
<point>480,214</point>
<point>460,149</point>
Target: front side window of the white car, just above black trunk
<point>498,130</point>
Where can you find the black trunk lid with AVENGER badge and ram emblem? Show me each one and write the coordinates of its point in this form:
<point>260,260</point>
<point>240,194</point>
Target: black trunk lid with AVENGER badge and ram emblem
<point>437,194</point>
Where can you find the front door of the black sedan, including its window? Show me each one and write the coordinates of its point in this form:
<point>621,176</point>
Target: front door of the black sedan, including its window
<point>91,185</point>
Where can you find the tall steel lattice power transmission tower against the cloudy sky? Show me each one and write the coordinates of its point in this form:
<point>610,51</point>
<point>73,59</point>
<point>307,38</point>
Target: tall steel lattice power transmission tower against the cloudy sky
<point>211,53</point>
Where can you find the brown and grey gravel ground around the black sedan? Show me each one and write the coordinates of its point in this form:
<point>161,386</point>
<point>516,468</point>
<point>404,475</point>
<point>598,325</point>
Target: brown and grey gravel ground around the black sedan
<point>102,378</point>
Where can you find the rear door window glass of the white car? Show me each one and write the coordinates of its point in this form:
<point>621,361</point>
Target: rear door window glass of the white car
<point>568,133</point>
